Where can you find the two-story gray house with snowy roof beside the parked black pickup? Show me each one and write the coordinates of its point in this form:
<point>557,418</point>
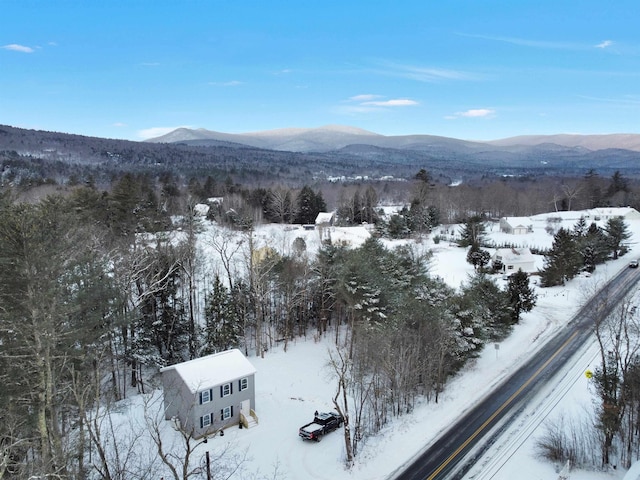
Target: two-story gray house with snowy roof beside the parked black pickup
<point>210,393</point>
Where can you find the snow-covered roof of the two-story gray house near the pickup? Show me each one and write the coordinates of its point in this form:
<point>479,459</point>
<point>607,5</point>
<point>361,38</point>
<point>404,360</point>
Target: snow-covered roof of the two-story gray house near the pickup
<point>212,370</point>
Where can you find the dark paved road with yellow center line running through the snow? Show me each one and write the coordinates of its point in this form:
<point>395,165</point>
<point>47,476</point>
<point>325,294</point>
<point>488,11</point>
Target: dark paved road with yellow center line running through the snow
<point>445,458</point>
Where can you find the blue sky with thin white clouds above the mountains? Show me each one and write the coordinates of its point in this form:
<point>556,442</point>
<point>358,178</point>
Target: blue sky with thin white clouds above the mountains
<point>472,69</point>
